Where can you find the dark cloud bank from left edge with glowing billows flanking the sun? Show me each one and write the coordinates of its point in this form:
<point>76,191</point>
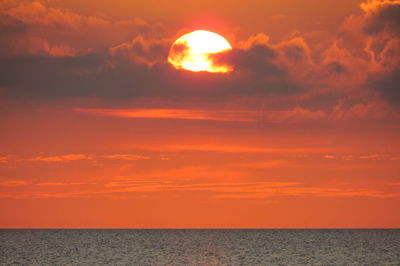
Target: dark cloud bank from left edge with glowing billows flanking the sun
<point>139,68</point>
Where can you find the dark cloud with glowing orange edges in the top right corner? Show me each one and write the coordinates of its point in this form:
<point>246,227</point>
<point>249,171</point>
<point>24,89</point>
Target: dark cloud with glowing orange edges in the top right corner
<point>381,28</point>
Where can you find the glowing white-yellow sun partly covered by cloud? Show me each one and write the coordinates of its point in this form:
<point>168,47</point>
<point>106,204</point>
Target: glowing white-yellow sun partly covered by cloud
<point>192,52</point>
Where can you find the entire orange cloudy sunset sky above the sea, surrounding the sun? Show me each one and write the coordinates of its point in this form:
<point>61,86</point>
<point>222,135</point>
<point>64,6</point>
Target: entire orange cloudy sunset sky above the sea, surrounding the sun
<point>98,130</point>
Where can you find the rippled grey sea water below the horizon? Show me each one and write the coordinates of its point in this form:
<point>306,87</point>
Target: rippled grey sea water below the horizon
<point>200,247</point>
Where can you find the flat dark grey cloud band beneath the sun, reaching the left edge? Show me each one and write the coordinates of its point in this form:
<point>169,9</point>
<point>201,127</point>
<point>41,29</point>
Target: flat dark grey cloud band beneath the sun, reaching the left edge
<point>105,76</point>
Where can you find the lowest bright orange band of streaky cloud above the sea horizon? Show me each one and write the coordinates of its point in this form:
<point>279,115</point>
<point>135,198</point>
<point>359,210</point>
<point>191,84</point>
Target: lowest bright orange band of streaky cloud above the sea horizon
<point>255,190</point>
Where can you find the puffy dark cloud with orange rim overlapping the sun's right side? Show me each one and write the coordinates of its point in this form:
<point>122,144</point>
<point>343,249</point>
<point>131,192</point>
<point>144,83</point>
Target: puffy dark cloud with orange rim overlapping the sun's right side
<point>258,68</point>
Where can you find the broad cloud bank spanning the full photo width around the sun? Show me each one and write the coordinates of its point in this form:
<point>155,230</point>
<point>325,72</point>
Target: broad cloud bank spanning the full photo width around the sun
<point>53,53</point>
